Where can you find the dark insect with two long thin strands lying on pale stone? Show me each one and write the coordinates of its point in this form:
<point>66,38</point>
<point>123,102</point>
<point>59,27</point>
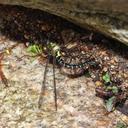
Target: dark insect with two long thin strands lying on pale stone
<point>73,59</point>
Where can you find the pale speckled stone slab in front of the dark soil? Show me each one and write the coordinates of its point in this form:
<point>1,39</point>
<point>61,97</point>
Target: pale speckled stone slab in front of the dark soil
<point>78,107</point>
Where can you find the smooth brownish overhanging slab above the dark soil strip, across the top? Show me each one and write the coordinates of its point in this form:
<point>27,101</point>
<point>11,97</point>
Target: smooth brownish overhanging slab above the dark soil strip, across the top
<point>109,18</point>
